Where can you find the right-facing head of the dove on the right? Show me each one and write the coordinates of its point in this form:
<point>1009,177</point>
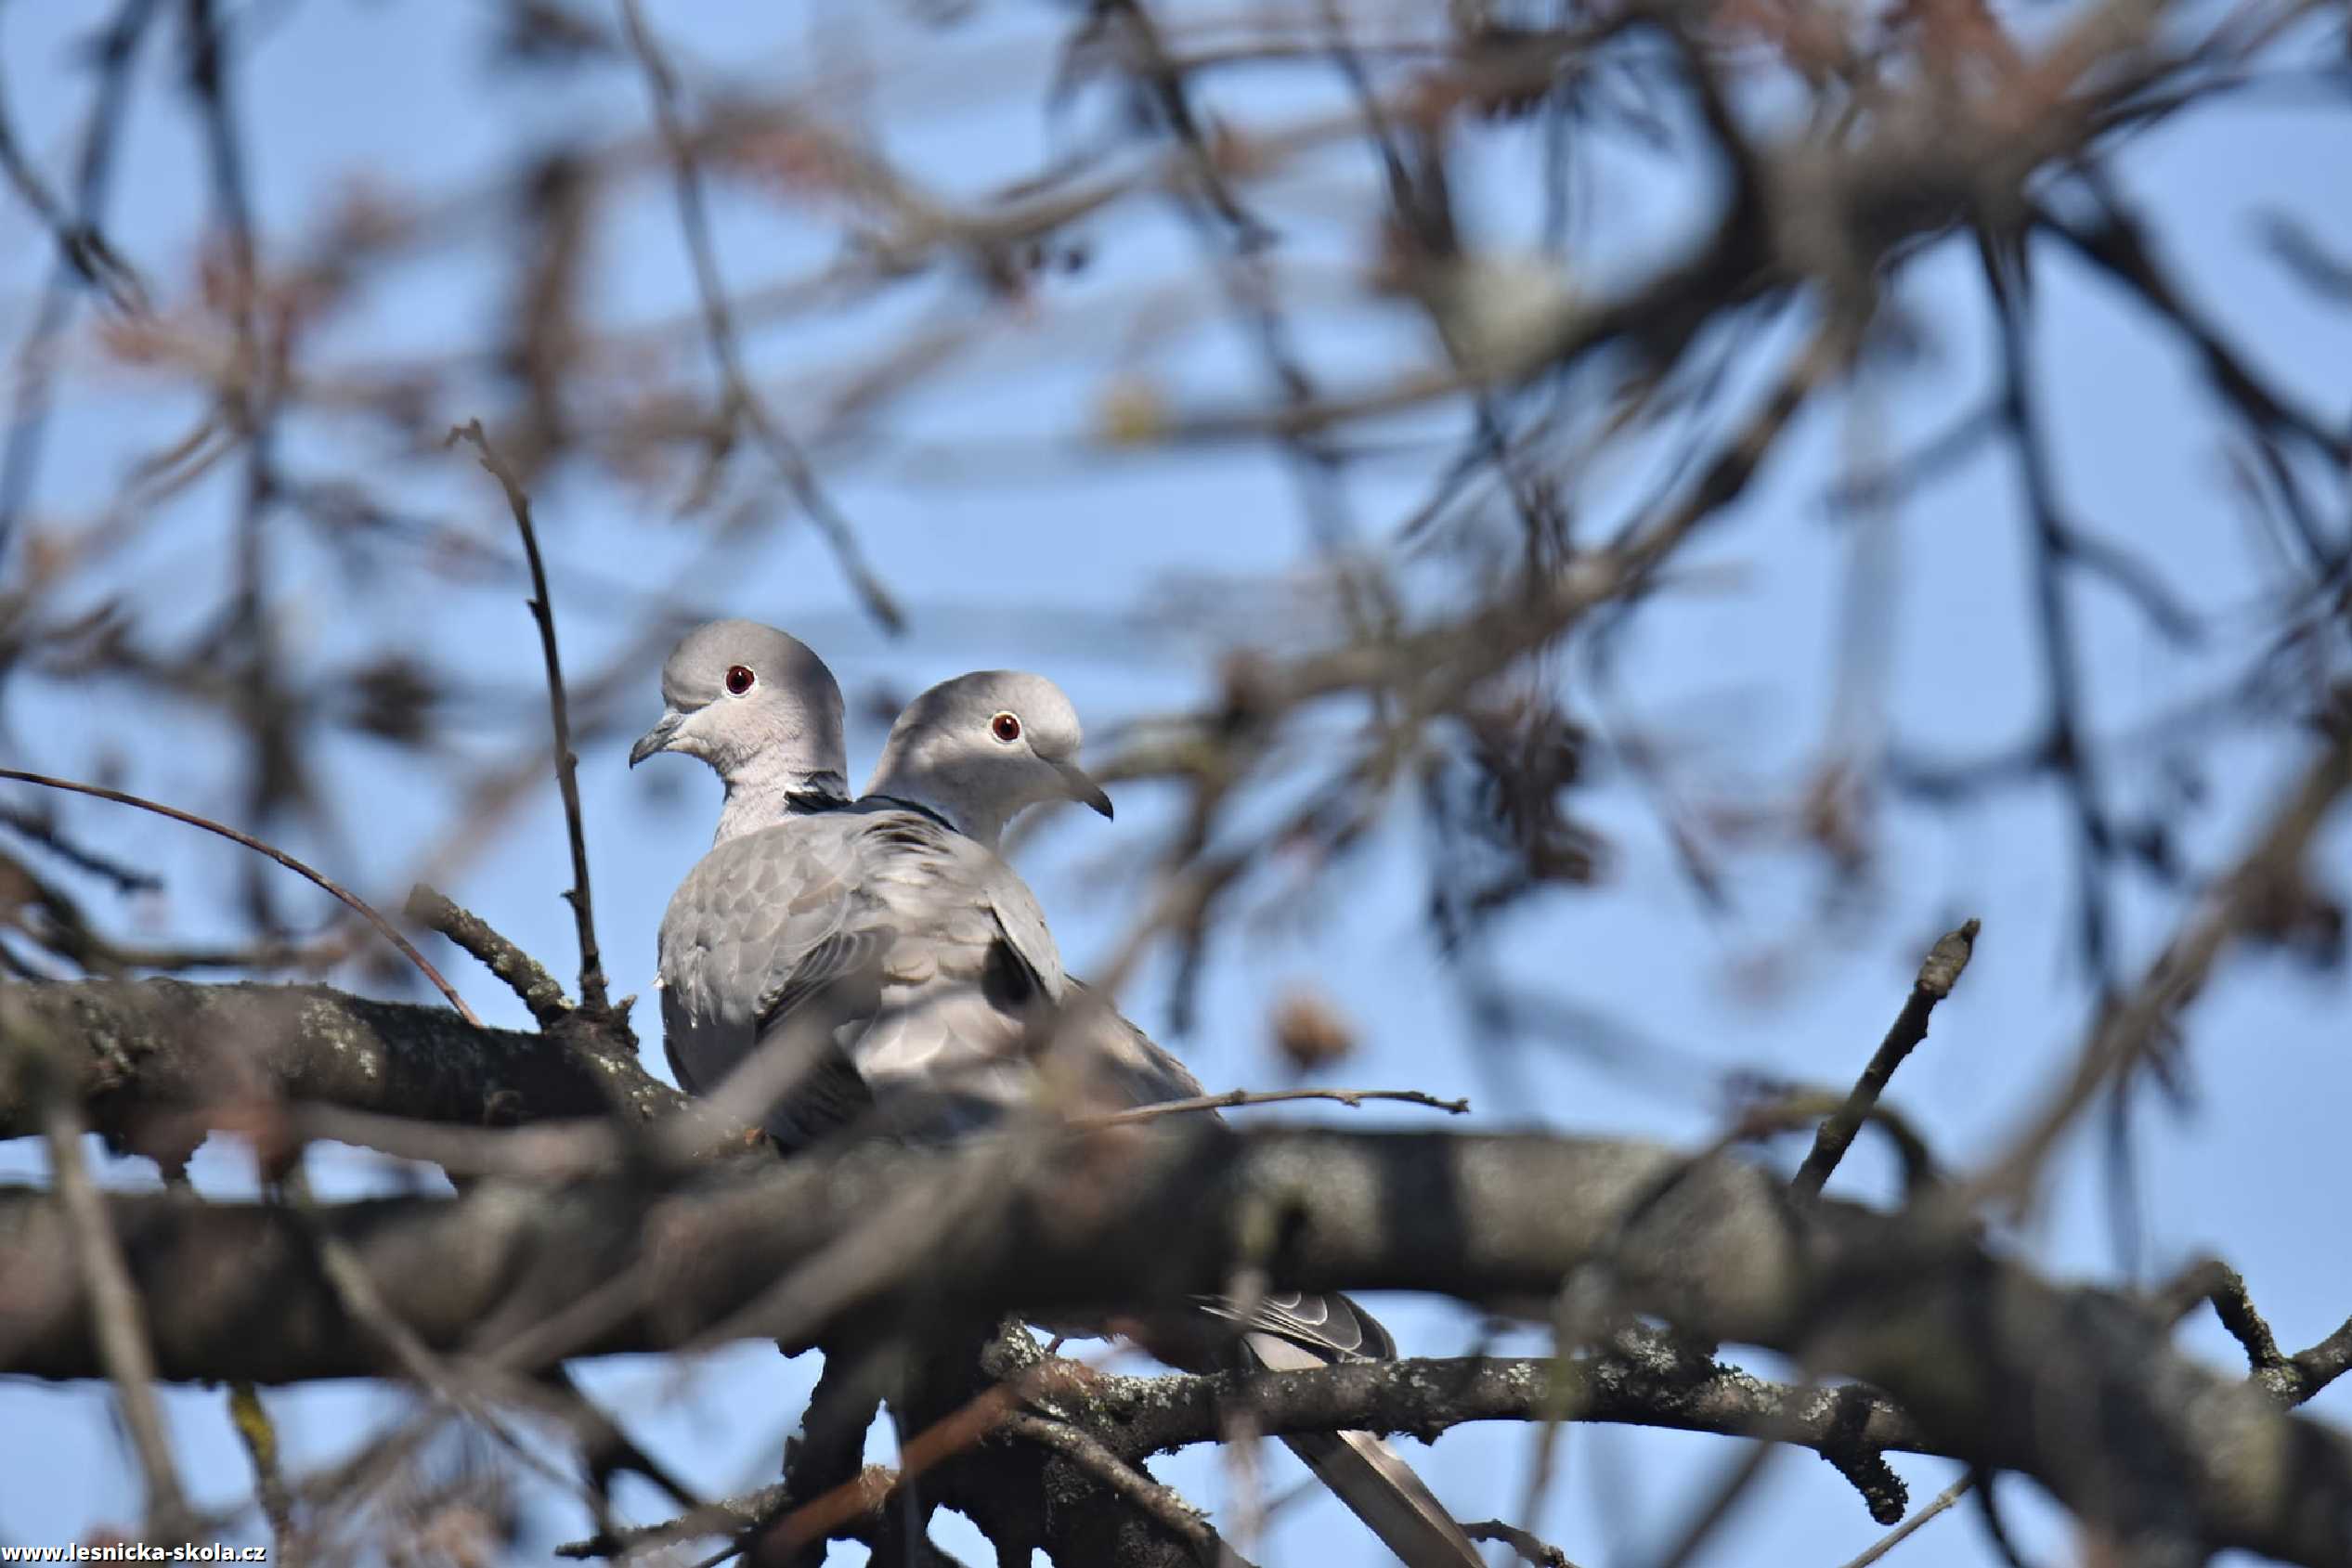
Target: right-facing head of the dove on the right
<point>982,749</point>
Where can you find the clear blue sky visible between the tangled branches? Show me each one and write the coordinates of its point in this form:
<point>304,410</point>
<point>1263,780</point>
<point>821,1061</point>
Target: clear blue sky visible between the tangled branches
<point>1013,549</point>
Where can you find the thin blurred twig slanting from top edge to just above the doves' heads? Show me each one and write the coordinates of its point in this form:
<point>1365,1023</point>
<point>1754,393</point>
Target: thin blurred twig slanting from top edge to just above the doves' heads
<point>719,328</point>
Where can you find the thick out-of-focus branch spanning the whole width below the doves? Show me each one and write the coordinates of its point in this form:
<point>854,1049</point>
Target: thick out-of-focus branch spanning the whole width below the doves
<point>1989,1360</point>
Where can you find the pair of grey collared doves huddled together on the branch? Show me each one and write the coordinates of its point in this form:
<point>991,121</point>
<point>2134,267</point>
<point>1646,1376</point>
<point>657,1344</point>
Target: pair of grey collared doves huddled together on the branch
<point>876,965</point>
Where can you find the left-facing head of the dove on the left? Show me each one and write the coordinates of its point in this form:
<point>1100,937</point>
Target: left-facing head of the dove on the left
<point>759,706</point>
